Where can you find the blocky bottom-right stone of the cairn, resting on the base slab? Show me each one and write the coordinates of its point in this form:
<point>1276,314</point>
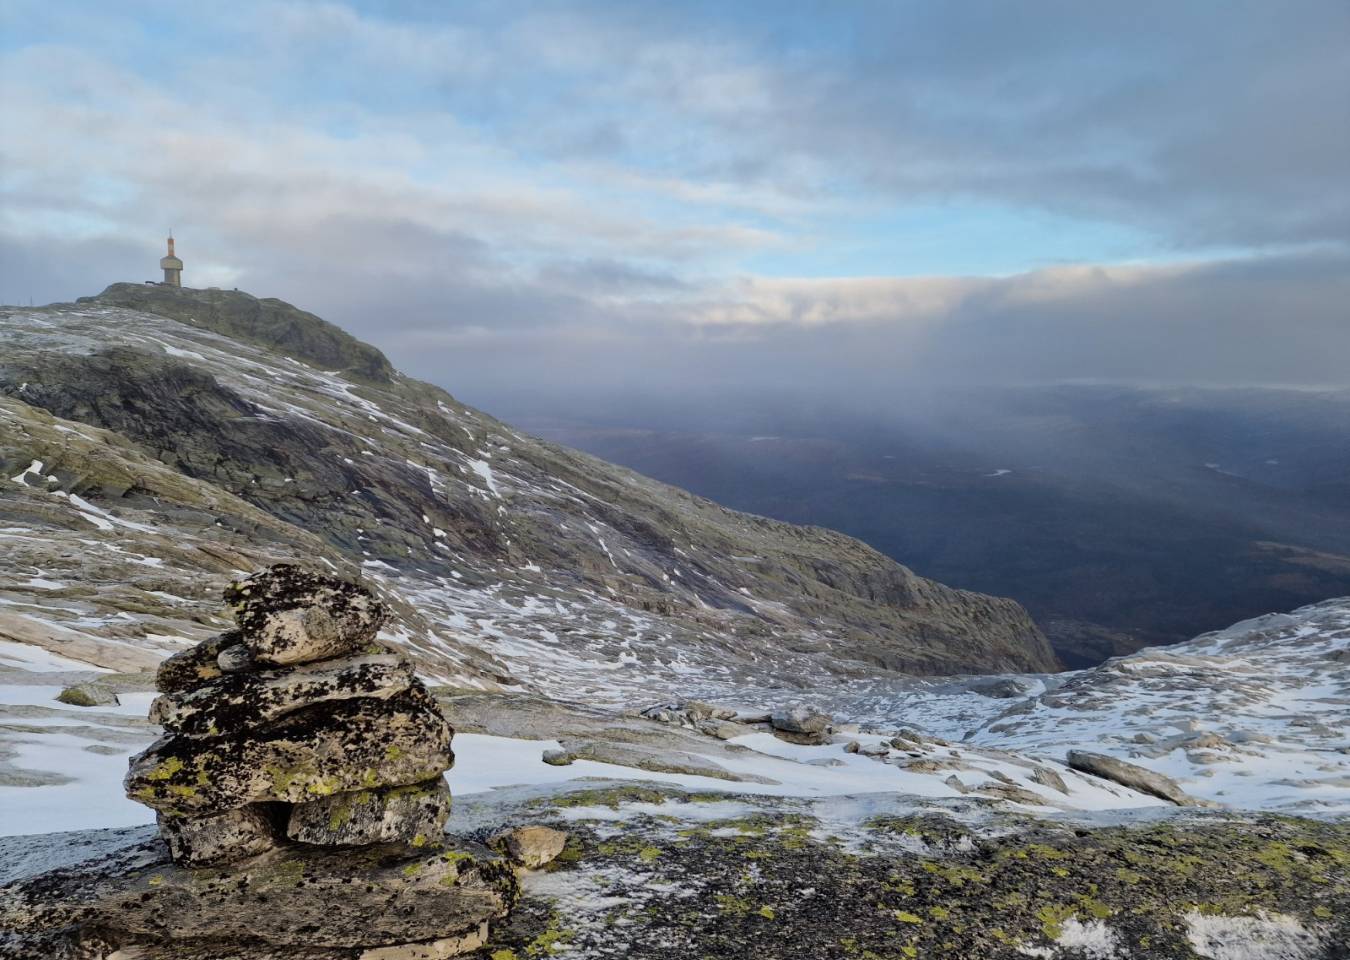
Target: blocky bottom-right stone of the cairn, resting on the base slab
<point>414,815</point>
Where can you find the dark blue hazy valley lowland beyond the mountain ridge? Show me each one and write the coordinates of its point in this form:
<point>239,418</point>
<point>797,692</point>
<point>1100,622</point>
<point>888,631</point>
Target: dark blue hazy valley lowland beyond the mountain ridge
<point>1120,518</point>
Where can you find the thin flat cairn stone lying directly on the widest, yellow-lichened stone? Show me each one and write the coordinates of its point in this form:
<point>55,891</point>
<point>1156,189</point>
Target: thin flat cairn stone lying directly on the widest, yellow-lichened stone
<point>244,701</point>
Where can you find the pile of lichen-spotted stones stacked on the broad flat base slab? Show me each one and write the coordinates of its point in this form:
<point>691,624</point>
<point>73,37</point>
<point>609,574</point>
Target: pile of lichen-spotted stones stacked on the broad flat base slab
<point>298,726</point>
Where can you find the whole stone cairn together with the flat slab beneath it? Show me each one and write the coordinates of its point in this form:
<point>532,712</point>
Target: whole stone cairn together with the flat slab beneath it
<point>299,789</point>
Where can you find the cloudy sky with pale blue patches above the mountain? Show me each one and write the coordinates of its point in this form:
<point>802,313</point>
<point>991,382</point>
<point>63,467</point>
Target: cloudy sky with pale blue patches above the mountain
<point>539,199</point>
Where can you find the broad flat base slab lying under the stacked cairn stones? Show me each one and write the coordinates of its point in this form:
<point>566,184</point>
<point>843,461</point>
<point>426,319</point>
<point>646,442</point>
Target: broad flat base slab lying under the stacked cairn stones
<point>294,896</point>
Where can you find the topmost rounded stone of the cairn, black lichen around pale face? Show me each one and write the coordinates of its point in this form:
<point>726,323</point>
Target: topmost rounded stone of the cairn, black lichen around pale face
<point>290,615</point>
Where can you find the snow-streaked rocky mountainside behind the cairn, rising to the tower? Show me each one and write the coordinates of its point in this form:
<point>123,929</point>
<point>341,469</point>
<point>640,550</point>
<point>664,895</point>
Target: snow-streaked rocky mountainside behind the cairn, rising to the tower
<point>155,442</point>
